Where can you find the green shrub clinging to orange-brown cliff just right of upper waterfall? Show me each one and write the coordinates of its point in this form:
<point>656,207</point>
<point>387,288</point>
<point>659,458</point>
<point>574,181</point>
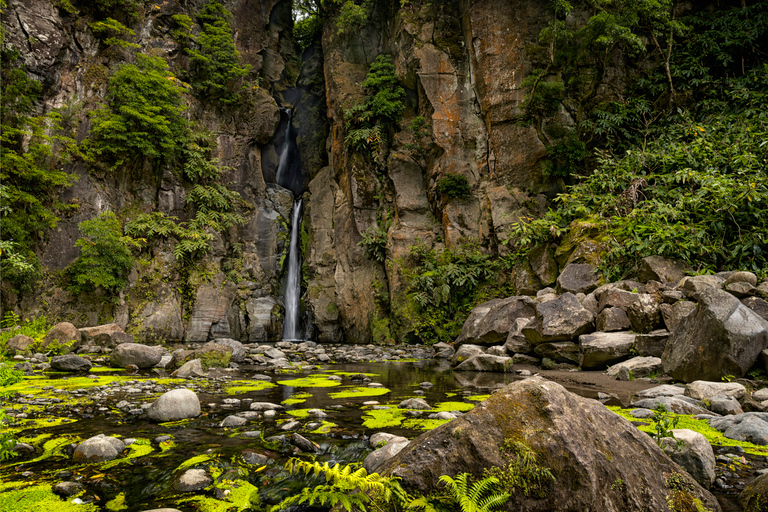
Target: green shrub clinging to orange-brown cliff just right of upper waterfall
<point>368,122</point>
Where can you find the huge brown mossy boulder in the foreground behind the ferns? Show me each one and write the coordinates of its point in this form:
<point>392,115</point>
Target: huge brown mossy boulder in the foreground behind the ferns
<point>586,447</point>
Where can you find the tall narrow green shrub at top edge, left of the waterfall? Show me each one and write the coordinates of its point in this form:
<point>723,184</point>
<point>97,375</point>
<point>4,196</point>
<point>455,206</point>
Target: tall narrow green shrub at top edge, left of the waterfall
<point>216,71</point>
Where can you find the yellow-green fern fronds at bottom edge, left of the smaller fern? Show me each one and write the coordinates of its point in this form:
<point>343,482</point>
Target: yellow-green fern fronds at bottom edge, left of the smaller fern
<point>346,485</point>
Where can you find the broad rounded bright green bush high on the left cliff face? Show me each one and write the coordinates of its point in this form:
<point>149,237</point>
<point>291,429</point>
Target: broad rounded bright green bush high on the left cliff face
<point>143,115</point>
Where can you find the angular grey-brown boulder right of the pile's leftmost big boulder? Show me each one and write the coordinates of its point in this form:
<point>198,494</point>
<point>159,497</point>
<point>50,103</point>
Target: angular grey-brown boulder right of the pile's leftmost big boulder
<point>561,319</point>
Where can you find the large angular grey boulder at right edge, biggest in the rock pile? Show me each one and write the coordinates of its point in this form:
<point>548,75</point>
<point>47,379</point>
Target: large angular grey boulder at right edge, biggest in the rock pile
<point>722,337</point>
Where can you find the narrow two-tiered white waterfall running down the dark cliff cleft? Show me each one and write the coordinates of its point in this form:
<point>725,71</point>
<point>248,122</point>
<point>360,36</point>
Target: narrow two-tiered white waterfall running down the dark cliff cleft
<point>289,176</point>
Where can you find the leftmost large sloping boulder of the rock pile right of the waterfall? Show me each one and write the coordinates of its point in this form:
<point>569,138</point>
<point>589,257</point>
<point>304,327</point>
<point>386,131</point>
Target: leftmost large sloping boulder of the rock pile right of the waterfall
<point>490,322</point>
